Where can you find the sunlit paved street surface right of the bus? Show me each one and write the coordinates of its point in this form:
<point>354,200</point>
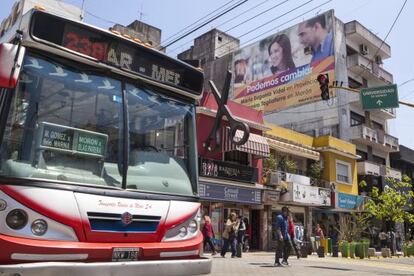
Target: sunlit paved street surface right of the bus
<point>261,263</point>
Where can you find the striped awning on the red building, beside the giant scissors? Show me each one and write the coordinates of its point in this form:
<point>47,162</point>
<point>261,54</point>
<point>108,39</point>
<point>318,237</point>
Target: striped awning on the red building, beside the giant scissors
<point>256,144</point>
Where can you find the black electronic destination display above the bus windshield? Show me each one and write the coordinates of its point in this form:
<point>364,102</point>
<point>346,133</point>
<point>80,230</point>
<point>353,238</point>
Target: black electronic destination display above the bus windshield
<point>117,52</point>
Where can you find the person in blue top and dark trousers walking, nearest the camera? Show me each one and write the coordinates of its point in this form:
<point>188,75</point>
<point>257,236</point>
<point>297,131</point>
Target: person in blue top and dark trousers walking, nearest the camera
<point>283,240</point>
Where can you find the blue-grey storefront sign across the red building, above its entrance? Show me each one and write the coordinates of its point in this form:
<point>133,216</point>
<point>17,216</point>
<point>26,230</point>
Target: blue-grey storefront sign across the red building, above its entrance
<point>218,192</point>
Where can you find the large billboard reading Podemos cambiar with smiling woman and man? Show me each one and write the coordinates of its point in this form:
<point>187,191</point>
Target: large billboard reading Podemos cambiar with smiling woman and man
<point>280,71</point>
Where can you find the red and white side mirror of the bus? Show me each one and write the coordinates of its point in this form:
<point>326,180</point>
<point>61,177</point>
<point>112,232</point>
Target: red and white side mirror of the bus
<point>11,58</point>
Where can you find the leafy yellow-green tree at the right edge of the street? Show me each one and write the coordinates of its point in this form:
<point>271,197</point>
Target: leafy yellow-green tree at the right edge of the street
<point>393,203</point>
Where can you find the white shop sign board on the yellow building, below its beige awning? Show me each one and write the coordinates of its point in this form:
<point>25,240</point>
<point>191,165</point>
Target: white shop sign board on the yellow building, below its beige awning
<point>307,195</point>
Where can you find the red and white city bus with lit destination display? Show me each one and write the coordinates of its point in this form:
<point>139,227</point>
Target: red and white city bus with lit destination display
<point>98,168</point>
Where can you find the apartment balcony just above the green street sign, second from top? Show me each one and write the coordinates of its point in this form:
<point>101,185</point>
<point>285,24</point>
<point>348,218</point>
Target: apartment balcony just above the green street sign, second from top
<point>362,66</point>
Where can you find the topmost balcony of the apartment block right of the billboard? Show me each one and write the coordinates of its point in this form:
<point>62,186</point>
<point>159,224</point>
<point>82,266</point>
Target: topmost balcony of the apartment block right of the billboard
<point>358,34</point>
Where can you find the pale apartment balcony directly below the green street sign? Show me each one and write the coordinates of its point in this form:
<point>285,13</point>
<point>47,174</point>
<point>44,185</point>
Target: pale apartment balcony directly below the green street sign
<point>376,138</point>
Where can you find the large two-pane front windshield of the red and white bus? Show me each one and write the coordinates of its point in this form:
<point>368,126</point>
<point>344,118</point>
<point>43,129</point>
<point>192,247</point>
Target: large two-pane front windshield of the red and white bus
<point>66,124</point>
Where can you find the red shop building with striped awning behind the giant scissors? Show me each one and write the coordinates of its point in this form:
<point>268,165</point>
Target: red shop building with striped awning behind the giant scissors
<point>230,177</point>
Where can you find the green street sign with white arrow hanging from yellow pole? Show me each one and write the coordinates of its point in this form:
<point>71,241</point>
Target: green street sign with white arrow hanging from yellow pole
<point>379,97</point>
